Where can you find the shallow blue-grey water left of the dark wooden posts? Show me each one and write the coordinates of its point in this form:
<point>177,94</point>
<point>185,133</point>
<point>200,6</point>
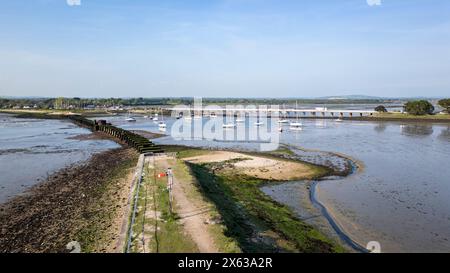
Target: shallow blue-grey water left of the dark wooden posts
<point>31,149</point>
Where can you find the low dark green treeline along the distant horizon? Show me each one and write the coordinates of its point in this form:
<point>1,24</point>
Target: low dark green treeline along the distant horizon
<point>82,103</point>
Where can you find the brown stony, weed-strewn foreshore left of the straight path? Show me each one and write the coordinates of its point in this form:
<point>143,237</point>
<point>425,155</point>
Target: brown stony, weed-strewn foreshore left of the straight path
<point>81,203</point>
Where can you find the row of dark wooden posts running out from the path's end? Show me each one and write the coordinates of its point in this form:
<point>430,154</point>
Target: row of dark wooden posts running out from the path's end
<point>140,143</point>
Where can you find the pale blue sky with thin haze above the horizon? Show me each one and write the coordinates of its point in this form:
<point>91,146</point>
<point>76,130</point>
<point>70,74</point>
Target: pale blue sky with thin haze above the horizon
<point>224,48</point>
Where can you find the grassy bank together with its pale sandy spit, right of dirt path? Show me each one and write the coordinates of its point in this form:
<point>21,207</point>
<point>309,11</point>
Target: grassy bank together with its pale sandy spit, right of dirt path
<point>290,232</point>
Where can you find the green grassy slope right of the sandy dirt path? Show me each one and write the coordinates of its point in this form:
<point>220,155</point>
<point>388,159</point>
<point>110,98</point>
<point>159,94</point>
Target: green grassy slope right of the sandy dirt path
<point>246,211</point>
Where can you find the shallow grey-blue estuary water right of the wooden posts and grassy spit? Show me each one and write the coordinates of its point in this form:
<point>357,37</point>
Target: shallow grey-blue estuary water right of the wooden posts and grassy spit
<point>399,197</point>
